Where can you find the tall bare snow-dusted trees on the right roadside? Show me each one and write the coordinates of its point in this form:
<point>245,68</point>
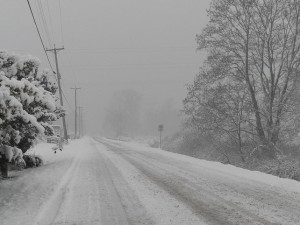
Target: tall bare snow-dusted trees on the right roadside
<point>246,94</point>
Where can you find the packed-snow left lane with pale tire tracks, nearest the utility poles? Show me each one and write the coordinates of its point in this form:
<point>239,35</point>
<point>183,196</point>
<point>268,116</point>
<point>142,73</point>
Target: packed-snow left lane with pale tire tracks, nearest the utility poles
<point>97,194</point>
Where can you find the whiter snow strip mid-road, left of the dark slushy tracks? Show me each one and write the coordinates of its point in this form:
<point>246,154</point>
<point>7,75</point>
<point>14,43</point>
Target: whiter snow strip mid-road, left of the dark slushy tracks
<point>158,204</point>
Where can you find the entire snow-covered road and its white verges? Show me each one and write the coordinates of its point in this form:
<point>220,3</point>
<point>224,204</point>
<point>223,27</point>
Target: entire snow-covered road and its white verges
<point>101,181</point>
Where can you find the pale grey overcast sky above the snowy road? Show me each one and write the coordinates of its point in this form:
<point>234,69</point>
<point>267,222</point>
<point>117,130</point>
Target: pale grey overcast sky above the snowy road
<point>111,45</point>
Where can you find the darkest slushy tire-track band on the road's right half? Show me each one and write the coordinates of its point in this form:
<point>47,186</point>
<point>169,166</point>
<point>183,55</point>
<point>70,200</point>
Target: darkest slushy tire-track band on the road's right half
<point>202,202</point>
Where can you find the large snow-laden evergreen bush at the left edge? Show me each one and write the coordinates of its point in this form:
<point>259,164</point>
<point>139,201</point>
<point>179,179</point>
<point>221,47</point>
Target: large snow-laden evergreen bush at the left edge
<point>27,101</point>
